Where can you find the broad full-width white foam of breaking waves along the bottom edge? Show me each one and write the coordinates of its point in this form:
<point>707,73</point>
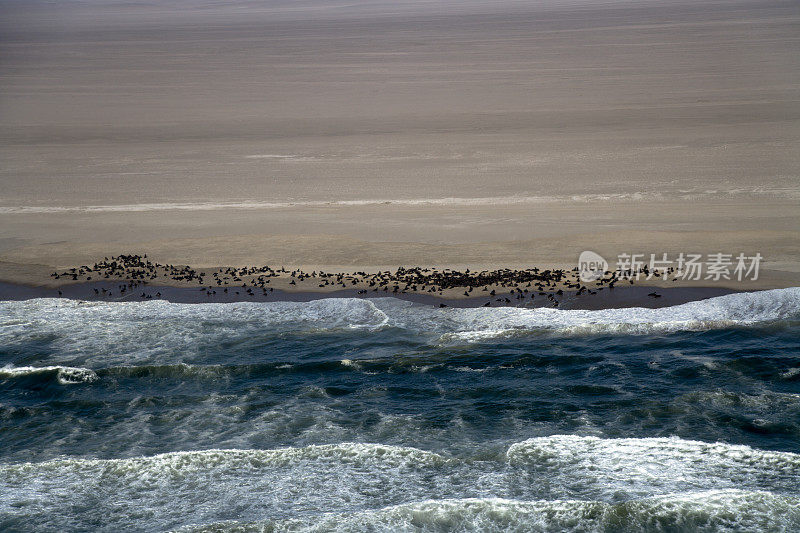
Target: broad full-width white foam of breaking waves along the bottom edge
<point>559,482</point>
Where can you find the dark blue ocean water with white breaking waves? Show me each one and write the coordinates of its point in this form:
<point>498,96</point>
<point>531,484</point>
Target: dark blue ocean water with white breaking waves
<point>382,415</point>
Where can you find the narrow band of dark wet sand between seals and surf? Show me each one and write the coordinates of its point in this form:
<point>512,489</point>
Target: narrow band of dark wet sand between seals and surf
<point>613,298</point>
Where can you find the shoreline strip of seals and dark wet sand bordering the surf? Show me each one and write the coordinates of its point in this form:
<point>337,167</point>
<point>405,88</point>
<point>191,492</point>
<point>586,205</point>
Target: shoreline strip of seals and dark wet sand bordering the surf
<point>132,277</point>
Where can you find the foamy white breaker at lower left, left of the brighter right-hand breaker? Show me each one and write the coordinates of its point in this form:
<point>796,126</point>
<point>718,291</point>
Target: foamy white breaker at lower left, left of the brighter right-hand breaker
<point>208,484</point>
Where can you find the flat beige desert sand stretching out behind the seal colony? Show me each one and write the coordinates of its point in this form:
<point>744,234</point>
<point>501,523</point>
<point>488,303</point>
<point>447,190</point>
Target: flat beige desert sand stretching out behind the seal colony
<point>370,135</point>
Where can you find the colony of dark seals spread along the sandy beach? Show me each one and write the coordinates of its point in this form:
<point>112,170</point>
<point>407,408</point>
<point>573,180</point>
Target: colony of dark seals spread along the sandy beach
<point>504,287</point>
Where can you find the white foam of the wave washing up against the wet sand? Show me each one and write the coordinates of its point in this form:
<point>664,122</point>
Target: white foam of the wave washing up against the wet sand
<point>157,332</point>
